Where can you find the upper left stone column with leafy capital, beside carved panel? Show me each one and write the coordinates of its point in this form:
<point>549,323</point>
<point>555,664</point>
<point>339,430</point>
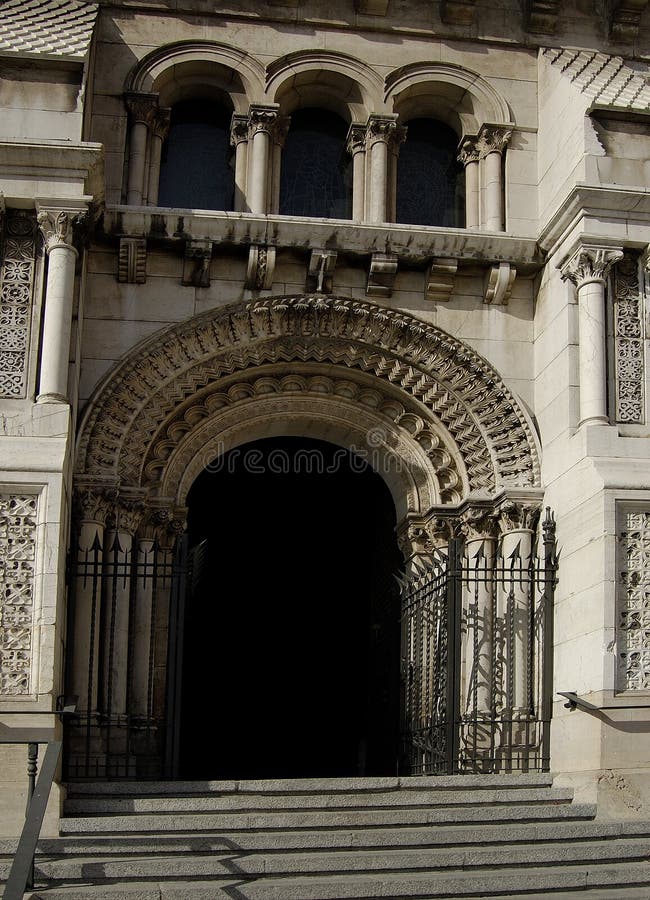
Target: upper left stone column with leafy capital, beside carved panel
<point>56,227</point>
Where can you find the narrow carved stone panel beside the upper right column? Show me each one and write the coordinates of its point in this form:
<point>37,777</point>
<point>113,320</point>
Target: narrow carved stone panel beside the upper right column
<point>628,341</point>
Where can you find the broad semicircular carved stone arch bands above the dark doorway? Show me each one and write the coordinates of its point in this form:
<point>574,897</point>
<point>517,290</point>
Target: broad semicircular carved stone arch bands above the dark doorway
<point>434,397</point>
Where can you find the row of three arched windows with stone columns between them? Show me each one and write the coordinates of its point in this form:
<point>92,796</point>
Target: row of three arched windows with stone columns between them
<point>315,152</point>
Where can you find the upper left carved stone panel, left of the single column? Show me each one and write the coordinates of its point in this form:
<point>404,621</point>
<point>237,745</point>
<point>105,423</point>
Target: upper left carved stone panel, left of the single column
<point>16,290</point>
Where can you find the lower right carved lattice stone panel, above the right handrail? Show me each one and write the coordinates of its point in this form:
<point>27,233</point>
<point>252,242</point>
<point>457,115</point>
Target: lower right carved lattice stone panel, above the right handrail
<point>633,589</point>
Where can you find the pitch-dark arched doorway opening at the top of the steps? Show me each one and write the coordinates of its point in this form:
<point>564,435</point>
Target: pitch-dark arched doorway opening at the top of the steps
<point>292,638</point>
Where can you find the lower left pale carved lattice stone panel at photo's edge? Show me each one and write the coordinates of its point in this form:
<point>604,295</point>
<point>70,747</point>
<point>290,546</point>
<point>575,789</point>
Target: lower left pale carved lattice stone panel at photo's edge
<point>18,514</point>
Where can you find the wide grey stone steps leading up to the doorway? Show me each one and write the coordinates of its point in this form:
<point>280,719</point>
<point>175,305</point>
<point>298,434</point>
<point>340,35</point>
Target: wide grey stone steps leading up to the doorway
<point>460,836</point>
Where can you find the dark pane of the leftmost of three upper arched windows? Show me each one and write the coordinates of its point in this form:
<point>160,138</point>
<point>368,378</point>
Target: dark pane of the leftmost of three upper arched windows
<point>195,169</point>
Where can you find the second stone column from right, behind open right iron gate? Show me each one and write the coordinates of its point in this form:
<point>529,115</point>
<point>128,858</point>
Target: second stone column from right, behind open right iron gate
<point>479,527</point>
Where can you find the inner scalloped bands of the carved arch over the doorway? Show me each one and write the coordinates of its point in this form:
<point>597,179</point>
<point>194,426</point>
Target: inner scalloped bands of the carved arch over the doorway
<point>395,440</point>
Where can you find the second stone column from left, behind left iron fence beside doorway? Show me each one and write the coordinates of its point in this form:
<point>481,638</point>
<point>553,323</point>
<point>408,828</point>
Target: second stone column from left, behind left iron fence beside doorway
<point>117,588</point>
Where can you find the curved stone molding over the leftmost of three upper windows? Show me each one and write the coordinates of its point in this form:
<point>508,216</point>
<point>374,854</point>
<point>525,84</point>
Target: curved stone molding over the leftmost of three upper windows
<point>162,65</point>
